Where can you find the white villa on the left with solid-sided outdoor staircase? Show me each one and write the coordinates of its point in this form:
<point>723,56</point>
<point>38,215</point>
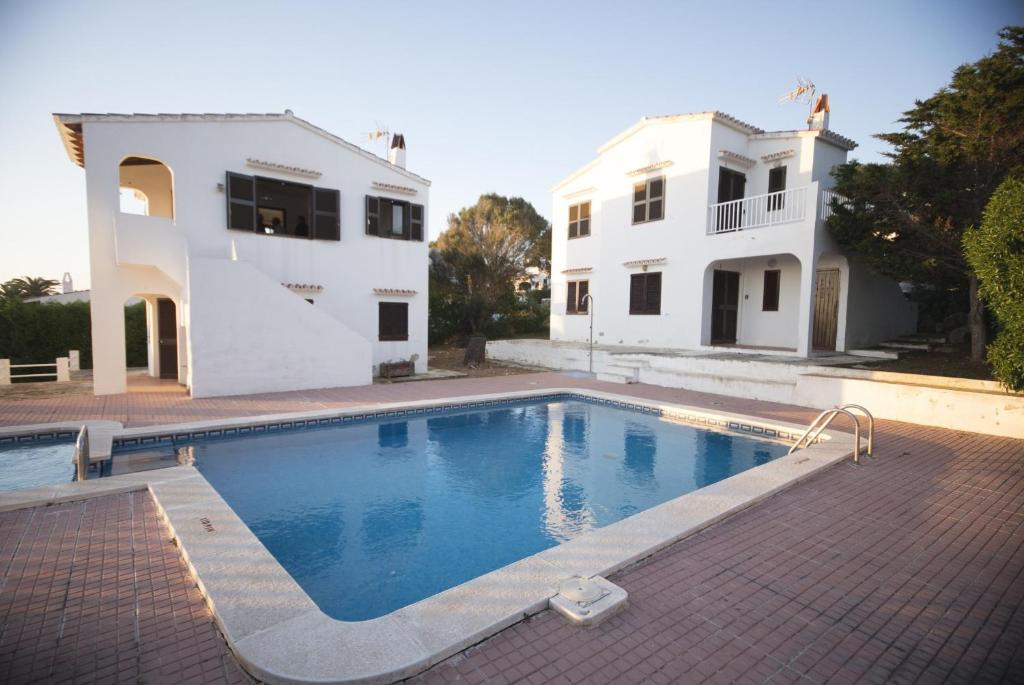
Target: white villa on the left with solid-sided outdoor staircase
<point>272,254</point>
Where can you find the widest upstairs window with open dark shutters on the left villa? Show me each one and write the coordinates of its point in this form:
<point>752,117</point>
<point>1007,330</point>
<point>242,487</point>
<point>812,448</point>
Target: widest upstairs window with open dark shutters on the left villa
<point>274,207</point>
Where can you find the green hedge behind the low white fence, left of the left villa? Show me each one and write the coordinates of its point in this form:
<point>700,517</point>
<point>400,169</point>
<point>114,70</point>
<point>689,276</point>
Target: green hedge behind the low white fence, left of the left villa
<point>39,333</point>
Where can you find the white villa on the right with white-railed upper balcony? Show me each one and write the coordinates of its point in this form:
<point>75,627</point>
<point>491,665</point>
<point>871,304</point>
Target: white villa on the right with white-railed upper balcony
<point>700,232</point>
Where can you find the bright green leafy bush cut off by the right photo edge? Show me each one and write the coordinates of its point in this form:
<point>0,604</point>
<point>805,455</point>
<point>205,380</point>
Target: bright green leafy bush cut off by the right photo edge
<point>996,252</point>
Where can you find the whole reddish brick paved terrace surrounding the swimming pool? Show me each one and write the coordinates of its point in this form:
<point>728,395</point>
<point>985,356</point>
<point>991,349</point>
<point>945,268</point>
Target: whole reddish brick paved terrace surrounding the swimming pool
<point>906,570</point>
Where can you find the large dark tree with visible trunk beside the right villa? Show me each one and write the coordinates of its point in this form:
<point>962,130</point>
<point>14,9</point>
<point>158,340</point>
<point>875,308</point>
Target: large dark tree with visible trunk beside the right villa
<point>908,219</point>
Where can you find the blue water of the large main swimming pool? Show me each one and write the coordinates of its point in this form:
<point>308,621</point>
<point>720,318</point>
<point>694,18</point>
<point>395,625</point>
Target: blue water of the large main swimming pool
<point>374,517</point>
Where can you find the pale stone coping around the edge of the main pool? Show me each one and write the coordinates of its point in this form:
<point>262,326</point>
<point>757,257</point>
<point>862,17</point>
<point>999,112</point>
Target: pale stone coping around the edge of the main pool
<point>281,636</point>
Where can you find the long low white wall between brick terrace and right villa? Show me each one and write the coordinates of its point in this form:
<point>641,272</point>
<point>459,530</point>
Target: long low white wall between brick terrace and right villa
<point>957,404</point>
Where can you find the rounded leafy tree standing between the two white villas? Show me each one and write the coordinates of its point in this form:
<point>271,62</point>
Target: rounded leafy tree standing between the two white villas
<point>476,263</point>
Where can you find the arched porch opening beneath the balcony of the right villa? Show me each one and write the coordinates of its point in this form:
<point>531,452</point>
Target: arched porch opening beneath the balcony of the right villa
<point>753,303</point>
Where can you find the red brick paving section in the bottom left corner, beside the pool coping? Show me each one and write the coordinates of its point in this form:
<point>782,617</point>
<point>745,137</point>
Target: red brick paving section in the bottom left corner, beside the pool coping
<point>97,592</point>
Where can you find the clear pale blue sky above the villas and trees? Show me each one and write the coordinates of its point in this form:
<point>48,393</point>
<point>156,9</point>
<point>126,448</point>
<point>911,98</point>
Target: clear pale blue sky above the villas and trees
<point>503,98</point>
